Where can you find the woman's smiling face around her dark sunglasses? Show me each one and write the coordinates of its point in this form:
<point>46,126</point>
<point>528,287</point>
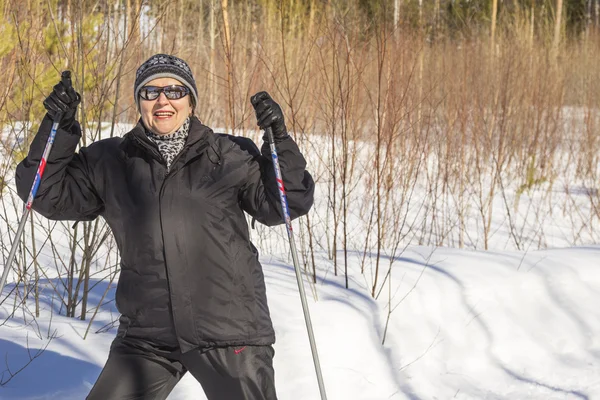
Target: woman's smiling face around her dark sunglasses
<point>161,115</point>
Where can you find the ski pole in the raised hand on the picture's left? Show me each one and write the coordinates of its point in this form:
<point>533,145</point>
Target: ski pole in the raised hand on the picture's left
<point>66,79</point>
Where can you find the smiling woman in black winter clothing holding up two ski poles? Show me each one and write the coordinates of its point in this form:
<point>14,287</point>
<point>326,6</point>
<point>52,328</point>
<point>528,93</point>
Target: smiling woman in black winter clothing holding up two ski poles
<point>191,292</point>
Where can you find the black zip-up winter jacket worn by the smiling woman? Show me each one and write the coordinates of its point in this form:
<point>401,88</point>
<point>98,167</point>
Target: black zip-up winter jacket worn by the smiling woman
<point>189,274</point>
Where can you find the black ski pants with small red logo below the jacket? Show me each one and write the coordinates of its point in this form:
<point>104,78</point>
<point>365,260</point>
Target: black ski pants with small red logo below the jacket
<point>138,370</point>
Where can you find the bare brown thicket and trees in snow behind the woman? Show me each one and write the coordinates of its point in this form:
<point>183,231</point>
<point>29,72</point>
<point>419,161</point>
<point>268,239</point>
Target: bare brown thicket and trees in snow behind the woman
<point>447,115</point>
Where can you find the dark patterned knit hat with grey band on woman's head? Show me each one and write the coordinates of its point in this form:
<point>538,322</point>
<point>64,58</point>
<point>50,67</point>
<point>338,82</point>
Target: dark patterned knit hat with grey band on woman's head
<point>164,66</point>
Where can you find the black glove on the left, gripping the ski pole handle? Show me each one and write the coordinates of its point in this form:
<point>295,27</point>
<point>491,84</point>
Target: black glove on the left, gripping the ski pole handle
<point>63,101</point>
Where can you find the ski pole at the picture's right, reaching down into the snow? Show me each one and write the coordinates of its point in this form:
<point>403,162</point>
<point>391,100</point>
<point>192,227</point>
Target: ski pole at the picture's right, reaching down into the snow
<point>288,224</point>
